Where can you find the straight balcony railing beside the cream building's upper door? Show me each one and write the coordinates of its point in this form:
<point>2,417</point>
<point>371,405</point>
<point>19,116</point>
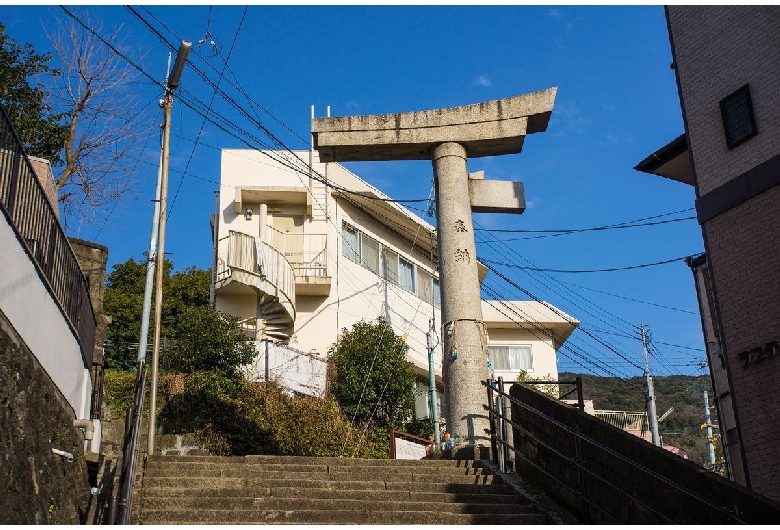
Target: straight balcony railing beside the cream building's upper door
<point>307,253</point>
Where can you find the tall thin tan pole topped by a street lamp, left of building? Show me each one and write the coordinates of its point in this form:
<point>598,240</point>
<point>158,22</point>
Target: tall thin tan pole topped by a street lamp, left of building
<point>172,84</point>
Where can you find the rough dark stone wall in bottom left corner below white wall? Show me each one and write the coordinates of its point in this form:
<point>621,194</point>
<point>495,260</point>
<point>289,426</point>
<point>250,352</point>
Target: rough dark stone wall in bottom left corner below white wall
<point>38,487</point>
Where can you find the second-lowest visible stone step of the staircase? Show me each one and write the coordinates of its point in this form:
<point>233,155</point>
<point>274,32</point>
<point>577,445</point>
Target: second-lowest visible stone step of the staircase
<point>314,502</point>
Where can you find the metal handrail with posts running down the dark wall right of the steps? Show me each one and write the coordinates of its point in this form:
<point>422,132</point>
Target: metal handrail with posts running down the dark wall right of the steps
<point>498,437</point>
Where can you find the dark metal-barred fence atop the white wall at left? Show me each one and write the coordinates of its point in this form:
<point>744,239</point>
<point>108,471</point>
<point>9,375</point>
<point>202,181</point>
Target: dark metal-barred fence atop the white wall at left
<point>24,203</point>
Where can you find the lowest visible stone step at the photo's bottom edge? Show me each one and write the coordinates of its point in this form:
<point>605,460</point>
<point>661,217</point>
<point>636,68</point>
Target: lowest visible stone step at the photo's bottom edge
<point>369,516</point>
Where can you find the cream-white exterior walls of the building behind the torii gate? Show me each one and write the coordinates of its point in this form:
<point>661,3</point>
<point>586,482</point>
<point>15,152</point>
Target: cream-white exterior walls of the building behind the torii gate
<point>356,293</point>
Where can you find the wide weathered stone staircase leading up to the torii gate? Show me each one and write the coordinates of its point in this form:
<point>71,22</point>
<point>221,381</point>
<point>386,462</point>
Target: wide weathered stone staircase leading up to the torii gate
<point>319,490</point>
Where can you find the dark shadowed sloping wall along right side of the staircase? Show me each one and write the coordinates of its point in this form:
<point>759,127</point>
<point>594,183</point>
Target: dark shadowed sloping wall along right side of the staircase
<point>631,480</point>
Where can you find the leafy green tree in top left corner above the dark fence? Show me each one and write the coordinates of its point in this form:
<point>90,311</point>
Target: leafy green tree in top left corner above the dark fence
<point>41,130</point>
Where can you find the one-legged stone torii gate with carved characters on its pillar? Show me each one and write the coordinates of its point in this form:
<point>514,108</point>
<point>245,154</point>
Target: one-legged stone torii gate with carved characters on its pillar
<point>448,137</point>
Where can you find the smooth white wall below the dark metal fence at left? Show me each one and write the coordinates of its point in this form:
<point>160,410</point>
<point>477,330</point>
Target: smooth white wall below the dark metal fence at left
<point>40,323</point>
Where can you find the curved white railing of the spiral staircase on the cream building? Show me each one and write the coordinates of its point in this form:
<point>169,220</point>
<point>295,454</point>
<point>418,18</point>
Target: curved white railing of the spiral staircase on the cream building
<point>249,254</point>
